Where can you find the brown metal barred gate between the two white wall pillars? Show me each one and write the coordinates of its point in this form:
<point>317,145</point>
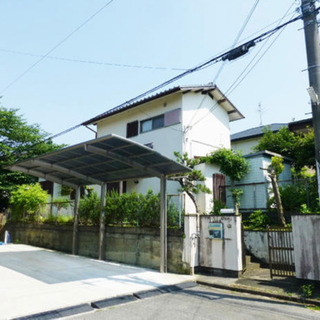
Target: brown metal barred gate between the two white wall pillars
<point>281,257</point>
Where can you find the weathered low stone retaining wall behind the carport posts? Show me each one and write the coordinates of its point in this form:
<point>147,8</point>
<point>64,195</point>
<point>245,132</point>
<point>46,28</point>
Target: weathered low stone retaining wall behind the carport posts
<point>135,246</point>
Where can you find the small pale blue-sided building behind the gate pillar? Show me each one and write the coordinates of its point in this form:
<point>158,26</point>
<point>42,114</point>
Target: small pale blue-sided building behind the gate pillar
<point>256,185</point>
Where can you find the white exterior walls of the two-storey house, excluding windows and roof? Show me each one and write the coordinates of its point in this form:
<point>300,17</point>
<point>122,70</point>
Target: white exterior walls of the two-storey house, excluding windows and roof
<point>197,139</point>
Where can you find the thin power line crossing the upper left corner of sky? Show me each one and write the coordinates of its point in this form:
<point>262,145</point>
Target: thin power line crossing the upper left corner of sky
<point>56,46</point>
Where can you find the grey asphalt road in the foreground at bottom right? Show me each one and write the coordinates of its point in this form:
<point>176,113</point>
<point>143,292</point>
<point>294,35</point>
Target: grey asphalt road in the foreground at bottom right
<point>202,303</point>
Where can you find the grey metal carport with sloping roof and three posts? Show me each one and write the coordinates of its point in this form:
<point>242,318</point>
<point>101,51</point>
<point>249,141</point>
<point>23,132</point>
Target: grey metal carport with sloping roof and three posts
<point>100,161</point>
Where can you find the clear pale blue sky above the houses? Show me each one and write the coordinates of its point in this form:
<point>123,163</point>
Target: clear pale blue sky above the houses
<point>136,45</point>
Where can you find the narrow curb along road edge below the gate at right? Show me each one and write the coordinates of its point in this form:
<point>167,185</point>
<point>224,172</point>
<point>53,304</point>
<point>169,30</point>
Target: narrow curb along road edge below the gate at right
<point>261,293</point>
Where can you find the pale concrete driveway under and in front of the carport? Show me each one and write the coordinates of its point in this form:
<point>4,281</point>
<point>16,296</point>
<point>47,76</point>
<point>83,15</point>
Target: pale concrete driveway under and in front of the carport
<point>35,280</point>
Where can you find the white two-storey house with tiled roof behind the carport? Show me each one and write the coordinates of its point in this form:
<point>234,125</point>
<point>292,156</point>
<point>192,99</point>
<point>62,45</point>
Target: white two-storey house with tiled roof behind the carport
<point>191,119</point>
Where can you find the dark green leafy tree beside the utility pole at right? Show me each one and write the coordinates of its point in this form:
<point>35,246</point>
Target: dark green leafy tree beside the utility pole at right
<point>299,146</point>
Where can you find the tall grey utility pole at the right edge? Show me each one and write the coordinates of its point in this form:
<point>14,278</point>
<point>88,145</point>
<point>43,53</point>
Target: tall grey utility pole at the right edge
<point>311,33</point>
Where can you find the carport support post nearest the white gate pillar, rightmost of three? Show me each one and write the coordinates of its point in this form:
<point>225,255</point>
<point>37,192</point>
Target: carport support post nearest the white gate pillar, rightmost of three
<point>163,224</point>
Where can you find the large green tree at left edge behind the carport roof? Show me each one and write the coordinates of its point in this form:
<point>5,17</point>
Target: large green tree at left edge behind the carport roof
<point>18,141</point>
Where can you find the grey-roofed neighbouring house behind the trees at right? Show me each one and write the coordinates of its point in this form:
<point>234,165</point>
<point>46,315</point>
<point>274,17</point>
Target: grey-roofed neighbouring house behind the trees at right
<point>245,140</point>
